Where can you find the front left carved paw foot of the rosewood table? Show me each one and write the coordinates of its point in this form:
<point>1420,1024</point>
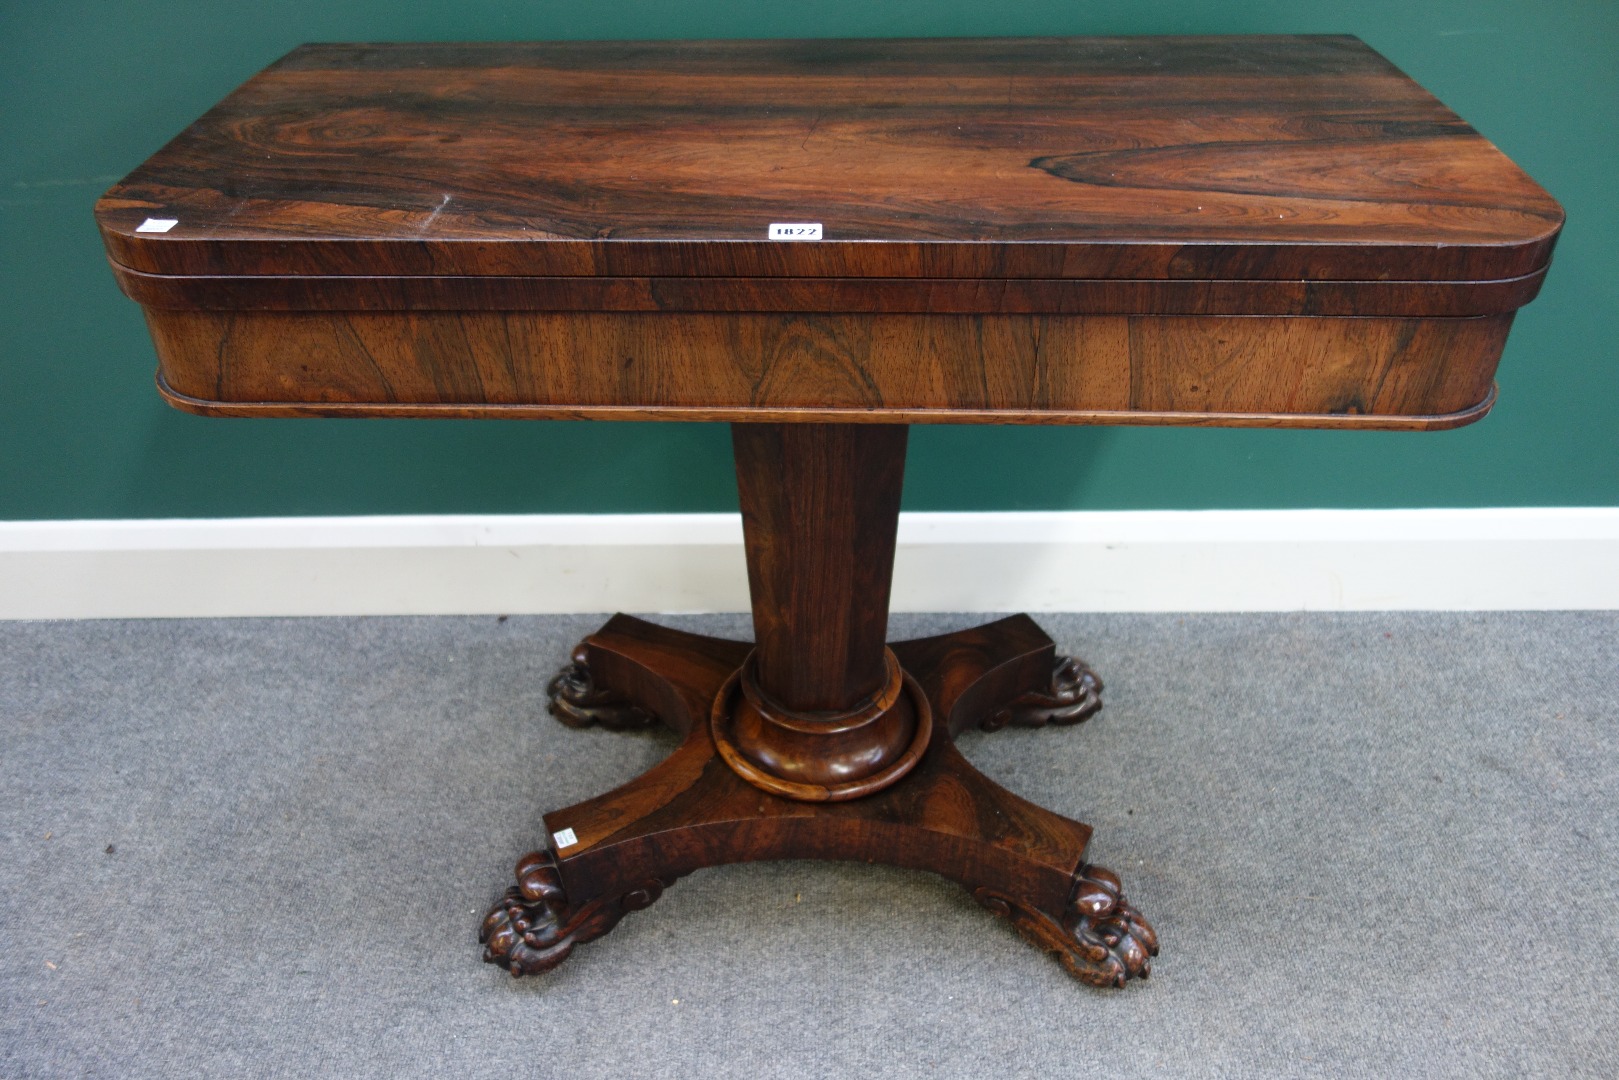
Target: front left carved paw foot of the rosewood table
<point>533,929</point>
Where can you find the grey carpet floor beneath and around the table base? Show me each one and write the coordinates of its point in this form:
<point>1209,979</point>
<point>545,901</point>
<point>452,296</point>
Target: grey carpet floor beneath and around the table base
<point>1374,846</point>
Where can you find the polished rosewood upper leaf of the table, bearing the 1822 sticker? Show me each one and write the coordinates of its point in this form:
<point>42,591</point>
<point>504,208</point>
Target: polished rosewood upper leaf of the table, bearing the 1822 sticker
<point>1128,158</point>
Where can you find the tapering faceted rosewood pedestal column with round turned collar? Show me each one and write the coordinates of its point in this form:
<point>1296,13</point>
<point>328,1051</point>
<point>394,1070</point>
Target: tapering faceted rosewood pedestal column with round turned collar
<point>822,708</point>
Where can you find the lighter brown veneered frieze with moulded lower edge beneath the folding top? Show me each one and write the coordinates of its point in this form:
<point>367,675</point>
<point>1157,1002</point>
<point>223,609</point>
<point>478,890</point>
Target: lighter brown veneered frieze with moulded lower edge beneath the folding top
<point>899,368</point>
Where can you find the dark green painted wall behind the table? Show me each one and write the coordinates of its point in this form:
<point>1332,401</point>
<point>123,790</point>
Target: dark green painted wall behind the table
<point>91,88</point>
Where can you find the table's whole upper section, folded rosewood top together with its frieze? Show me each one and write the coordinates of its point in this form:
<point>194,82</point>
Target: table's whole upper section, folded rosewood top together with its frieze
<point>1014,231</point>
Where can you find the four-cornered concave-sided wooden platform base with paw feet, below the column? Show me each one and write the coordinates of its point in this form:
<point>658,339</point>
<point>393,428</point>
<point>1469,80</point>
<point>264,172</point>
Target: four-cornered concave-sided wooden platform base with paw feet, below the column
<point>618,854</point>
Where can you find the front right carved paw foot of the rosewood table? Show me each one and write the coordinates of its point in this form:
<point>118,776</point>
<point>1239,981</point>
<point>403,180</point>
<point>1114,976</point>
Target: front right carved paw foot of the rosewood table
<point>1102,940</point>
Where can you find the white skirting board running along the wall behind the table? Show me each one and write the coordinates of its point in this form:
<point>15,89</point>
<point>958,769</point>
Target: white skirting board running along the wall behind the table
<point>682,563</point>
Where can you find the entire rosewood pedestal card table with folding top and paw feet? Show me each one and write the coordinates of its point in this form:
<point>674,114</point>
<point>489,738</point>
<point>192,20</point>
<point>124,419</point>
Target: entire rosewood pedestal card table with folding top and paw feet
<point>823,242</point>
